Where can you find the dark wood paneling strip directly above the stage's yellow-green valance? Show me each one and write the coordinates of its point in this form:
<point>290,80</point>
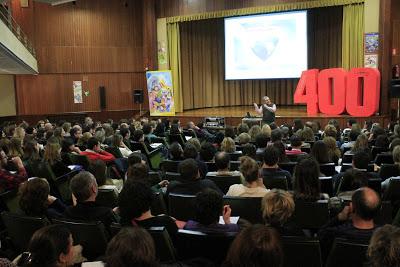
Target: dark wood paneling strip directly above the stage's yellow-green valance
<point>169,8</point>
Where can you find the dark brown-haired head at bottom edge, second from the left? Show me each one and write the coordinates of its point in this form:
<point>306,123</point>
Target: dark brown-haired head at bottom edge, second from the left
<point>131,246</point>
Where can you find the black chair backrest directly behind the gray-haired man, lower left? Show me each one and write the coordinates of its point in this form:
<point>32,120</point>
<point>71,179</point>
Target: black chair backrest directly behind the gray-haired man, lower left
<point>91,235</point>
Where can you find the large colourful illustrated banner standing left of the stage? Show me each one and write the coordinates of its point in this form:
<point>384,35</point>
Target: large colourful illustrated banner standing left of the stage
<point>161,93</point>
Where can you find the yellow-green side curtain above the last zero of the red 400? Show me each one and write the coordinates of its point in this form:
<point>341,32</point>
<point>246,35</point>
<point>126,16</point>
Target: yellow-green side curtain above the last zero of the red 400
<point>353,36</point>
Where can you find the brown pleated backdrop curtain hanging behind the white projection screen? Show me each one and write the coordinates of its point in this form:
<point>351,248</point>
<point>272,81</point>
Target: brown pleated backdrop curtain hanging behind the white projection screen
<point>202,63</point>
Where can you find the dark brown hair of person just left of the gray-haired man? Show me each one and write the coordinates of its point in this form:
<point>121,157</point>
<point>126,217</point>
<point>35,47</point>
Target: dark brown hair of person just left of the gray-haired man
<point>33,197</point>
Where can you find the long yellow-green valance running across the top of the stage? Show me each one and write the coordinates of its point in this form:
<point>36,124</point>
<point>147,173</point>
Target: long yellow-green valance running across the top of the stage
<point>263,9</point>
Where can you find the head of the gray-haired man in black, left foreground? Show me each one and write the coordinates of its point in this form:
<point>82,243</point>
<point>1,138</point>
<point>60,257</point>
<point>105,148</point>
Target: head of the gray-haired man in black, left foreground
<point>84,187</point>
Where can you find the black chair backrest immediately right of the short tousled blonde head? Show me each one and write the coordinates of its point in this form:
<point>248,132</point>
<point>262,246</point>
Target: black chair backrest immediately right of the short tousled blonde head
<point>311,215</point>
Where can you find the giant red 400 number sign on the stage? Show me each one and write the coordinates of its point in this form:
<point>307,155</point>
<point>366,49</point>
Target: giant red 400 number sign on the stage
<point>334,91</point>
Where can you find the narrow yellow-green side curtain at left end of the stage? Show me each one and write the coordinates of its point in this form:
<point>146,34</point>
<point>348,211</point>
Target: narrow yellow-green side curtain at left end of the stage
<point>174,53</point>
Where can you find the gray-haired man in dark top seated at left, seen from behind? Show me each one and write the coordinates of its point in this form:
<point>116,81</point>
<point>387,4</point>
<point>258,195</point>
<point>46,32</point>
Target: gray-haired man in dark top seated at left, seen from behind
<point>84,192</point>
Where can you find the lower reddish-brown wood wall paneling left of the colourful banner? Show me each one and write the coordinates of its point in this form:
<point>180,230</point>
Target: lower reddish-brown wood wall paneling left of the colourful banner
<point>53,94</point>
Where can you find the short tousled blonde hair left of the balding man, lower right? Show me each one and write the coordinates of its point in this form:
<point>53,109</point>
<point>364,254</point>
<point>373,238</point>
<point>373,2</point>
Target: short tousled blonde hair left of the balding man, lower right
<point>277,207</point>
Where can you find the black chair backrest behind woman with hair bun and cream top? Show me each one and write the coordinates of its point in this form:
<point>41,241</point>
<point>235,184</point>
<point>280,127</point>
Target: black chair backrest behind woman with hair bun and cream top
<point>248,208</point>
